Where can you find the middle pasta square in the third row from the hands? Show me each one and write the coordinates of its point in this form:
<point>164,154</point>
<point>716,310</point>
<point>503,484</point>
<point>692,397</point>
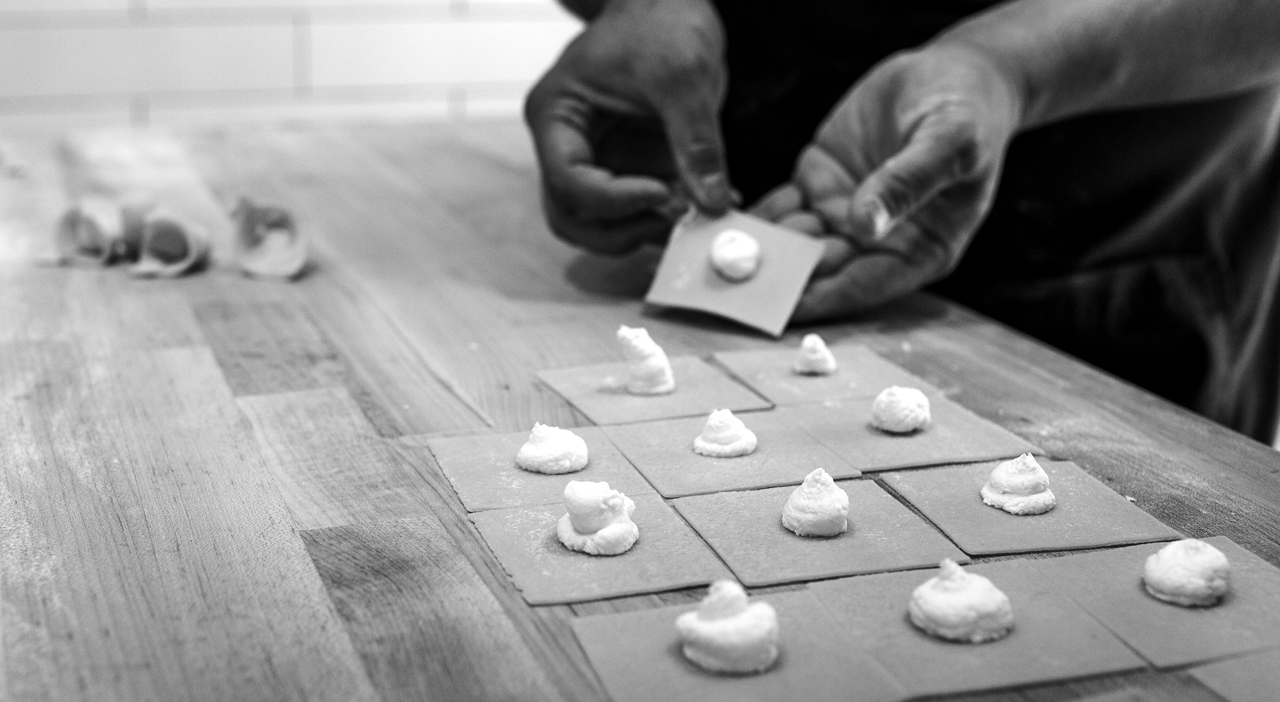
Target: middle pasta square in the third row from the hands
<point>746,528</point>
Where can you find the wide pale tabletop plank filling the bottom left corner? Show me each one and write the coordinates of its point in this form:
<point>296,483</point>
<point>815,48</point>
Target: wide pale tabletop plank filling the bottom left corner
<point>148,553</point>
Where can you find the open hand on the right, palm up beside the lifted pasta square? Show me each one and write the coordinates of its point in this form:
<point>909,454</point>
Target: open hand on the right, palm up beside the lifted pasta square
<point>899,177</point>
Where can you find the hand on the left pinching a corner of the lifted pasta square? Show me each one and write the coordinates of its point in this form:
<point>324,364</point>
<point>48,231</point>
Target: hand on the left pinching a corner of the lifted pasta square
<point>627,125</point>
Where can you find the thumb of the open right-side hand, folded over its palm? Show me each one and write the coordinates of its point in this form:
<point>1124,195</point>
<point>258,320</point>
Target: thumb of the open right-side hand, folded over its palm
<point>938,157</point>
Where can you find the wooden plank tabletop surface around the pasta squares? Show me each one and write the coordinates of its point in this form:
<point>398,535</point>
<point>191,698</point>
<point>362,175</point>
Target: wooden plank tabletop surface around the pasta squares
<point>207,494</point>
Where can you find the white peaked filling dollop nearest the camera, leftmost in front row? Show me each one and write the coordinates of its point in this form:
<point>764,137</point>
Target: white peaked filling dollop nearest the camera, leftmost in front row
<point>728,633</point>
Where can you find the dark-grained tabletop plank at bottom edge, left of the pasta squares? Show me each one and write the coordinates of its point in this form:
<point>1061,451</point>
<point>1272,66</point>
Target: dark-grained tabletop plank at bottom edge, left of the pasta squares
<point>422,618</point>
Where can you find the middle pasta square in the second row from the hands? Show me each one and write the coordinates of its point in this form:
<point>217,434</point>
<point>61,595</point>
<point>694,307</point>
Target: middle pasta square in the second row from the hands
<point>664,452</point>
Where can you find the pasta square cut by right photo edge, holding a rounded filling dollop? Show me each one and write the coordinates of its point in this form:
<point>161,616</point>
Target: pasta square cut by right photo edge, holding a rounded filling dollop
<point>1109,586</point>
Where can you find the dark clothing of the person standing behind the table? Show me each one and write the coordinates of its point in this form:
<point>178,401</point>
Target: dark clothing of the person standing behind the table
<point>1146,243</point>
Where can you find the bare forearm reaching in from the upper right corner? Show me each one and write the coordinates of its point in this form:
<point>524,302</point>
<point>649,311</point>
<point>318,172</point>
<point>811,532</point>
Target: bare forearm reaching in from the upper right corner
<point>1067,58</point>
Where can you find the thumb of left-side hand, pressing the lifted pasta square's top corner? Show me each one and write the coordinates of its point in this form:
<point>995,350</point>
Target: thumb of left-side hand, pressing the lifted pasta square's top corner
<point>698,148</point>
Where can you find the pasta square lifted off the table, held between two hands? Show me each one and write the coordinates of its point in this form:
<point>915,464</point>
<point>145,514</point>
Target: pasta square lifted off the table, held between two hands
<point>687,280</point>
